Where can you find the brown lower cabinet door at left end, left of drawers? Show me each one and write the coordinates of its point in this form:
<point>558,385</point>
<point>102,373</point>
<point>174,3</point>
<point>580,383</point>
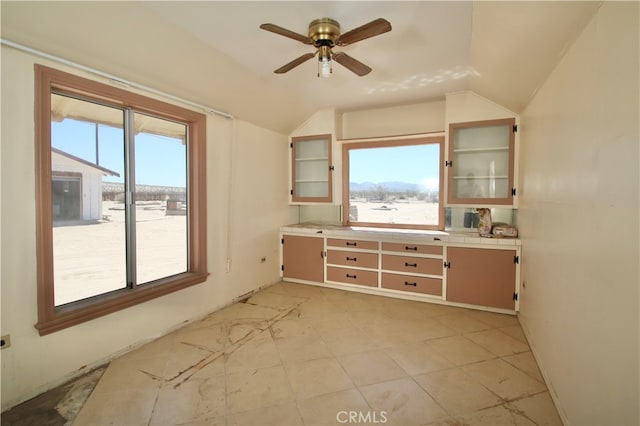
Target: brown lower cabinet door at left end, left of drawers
<point>303,258</point>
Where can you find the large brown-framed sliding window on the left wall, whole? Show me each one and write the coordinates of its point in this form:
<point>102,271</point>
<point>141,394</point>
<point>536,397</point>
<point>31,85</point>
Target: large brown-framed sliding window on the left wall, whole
<point>121,199</point>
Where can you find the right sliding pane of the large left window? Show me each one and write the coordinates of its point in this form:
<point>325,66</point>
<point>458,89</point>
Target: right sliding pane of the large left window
<point>161,198</point>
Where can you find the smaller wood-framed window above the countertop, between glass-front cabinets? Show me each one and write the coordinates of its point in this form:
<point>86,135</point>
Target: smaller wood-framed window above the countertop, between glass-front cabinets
<point>393,183</point>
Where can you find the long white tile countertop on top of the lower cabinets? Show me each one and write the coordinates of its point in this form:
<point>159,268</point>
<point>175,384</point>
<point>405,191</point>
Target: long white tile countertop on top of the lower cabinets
<point>417,235</point>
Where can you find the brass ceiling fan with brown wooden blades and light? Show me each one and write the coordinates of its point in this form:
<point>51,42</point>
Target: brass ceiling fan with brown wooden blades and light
<point>324,35</point>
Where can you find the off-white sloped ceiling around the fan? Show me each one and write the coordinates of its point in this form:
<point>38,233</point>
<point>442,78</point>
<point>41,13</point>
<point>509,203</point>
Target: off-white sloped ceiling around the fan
<point>214,52</point>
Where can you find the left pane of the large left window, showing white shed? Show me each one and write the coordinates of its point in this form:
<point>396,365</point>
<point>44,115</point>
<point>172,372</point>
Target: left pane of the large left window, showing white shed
<point>87,150</point>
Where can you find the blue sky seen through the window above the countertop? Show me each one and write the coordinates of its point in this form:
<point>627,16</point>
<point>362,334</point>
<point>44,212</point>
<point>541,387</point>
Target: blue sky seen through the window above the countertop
<point>412,164</point>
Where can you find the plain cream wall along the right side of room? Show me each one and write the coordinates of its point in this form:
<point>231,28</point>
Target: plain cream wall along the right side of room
<point>579,223</point>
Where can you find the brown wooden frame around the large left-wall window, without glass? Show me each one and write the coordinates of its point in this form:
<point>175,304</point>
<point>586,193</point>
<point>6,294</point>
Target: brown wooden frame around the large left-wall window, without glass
<point>52,318</point>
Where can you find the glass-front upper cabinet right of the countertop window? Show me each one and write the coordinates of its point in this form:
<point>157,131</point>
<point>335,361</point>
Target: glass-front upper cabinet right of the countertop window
<point>481,162</point>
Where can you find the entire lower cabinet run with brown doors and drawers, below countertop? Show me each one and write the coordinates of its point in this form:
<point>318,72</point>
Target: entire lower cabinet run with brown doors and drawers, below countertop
<point>445,272</point>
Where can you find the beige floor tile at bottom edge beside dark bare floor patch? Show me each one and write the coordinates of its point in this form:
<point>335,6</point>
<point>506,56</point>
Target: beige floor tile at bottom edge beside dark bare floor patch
<point>124,407</point>
